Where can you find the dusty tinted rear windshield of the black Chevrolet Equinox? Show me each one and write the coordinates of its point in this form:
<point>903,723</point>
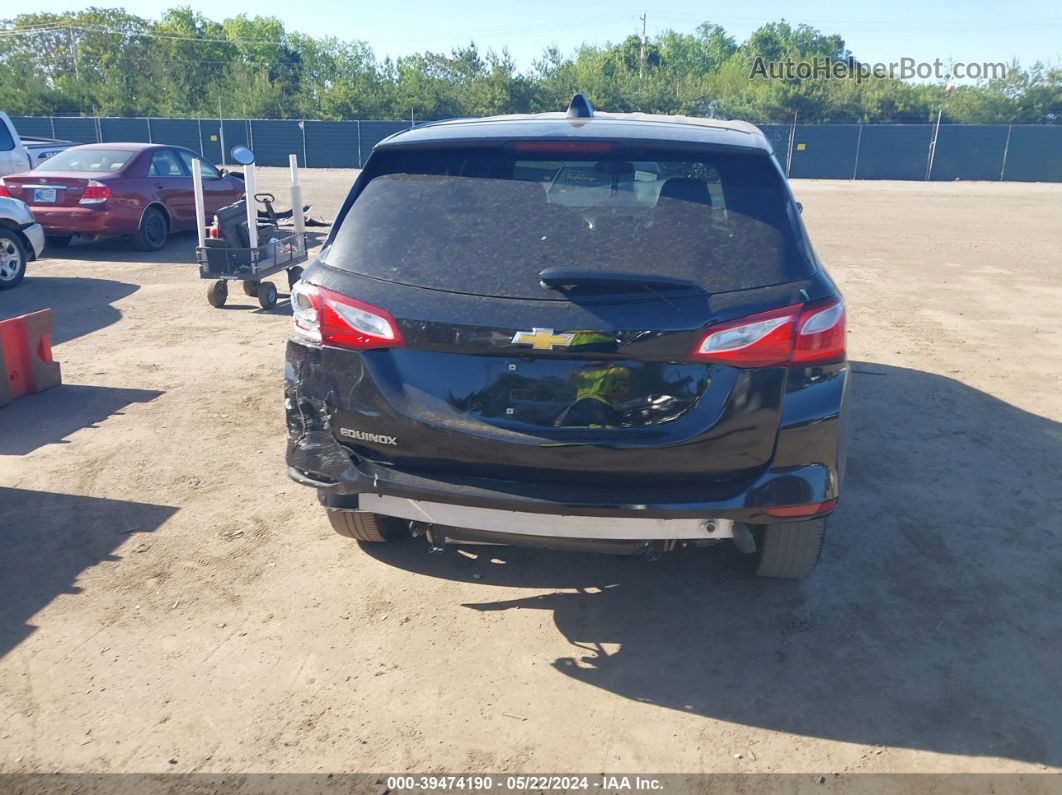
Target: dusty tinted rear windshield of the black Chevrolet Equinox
<point>490,221</point>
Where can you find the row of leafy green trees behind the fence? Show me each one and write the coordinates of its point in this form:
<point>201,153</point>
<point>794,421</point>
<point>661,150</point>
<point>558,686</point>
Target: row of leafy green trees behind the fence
<point>185,64</point>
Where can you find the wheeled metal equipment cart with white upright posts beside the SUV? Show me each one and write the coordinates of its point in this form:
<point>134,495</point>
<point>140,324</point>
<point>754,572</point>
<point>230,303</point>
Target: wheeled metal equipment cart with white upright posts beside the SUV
<point>225,261</point>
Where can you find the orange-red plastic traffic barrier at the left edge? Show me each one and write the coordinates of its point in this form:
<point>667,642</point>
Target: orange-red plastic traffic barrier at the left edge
<point>26,356</point>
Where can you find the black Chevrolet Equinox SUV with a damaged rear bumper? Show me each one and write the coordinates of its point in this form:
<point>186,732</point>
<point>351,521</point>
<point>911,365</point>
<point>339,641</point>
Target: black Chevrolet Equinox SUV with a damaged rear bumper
<point>579,331</point>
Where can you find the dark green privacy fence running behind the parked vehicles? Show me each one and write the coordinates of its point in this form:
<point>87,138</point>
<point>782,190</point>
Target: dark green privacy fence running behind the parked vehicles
<point>997,152</point>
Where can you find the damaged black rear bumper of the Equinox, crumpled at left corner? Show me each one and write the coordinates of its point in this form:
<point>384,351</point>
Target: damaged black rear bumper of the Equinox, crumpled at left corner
<point>806,466</point>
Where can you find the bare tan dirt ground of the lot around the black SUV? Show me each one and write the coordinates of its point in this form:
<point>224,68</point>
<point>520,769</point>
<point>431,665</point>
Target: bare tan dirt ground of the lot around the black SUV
<point>170,602</point>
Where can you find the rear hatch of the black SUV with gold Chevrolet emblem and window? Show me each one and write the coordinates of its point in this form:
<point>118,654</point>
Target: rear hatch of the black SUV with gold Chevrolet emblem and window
<point>550,304</point>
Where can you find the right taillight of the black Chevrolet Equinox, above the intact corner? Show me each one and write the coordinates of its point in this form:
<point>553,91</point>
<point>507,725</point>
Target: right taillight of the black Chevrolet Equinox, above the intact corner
<point>798,336</point>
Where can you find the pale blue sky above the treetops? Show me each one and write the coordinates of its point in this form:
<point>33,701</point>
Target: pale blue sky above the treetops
<point>975,30</point>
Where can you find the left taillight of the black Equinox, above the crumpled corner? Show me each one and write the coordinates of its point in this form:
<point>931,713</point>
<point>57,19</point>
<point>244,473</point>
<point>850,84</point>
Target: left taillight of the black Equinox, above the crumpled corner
<point>333,319</point>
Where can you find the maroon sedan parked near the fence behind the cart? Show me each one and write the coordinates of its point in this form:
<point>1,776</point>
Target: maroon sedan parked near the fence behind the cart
<point>144,191</point>
